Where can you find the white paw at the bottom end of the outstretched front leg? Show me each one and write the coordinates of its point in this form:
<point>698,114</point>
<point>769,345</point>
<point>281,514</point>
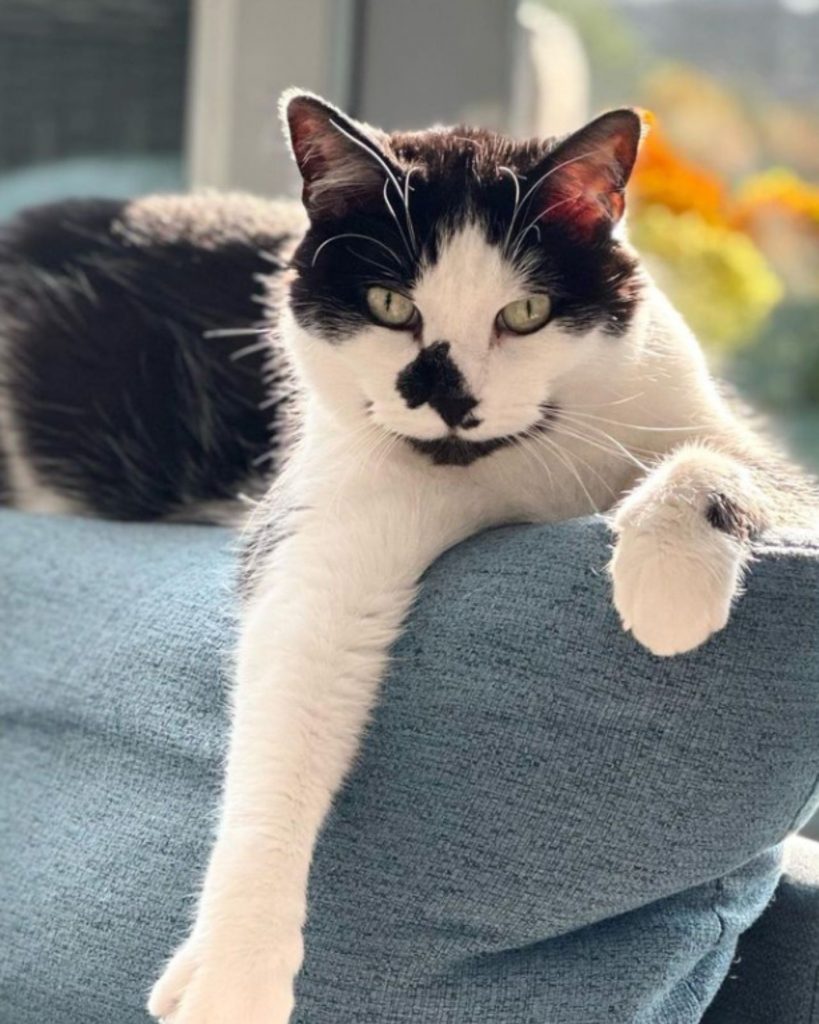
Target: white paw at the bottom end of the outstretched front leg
<point>209,984</point>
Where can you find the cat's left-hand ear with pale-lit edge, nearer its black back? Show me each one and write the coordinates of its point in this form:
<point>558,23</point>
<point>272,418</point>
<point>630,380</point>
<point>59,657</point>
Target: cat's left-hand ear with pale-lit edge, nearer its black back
<point>343,163</point>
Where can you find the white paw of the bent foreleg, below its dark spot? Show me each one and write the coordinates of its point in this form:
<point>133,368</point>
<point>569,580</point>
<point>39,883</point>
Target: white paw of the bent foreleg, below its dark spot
<point>674,588</point>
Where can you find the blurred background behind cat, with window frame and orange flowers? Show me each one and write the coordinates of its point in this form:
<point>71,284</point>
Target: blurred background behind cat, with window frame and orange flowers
<point>121,98</point>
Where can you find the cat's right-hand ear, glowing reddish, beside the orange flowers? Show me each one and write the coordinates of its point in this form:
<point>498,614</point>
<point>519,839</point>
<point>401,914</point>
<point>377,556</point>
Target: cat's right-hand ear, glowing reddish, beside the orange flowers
<point>584,179</point>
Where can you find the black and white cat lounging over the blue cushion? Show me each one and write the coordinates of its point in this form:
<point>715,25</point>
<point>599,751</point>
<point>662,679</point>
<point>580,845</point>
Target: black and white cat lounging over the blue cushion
<point>462,337</point>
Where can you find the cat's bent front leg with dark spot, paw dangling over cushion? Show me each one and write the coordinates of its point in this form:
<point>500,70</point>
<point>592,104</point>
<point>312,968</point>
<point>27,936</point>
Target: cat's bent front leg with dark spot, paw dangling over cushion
<point>683,542</point>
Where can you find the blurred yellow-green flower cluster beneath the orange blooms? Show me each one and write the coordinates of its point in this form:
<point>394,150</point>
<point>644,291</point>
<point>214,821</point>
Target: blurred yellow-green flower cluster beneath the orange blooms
<point>715,275</point>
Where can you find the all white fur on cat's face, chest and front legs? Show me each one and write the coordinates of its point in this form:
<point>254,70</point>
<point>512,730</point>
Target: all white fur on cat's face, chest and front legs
<point>331,600</point>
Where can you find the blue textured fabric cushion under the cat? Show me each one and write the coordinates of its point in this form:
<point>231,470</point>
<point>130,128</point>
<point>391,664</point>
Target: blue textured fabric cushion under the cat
<point>546,825</point>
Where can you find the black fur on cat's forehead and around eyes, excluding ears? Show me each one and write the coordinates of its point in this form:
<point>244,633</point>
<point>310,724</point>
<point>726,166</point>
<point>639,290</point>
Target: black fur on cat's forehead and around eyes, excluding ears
<point>460,176</point>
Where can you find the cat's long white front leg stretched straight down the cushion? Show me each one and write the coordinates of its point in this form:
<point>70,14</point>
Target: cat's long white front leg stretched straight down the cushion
<point>314,650</point>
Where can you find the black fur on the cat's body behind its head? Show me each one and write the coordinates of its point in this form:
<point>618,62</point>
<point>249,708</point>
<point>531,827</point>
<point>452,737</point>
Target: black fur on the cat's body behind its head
<point>120,400</point>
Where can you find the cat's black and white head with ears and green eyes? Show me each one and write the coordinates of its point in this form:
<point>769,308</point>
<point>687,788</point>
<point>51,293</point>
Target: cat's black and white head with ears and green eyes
<point>453,281</point>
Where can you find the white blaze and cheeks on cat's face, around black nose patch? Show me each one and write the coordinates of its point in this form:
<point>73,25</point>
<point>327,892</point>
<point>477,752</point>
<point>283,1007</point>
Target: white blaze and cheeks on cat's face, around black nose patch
<point>511,376</point>
